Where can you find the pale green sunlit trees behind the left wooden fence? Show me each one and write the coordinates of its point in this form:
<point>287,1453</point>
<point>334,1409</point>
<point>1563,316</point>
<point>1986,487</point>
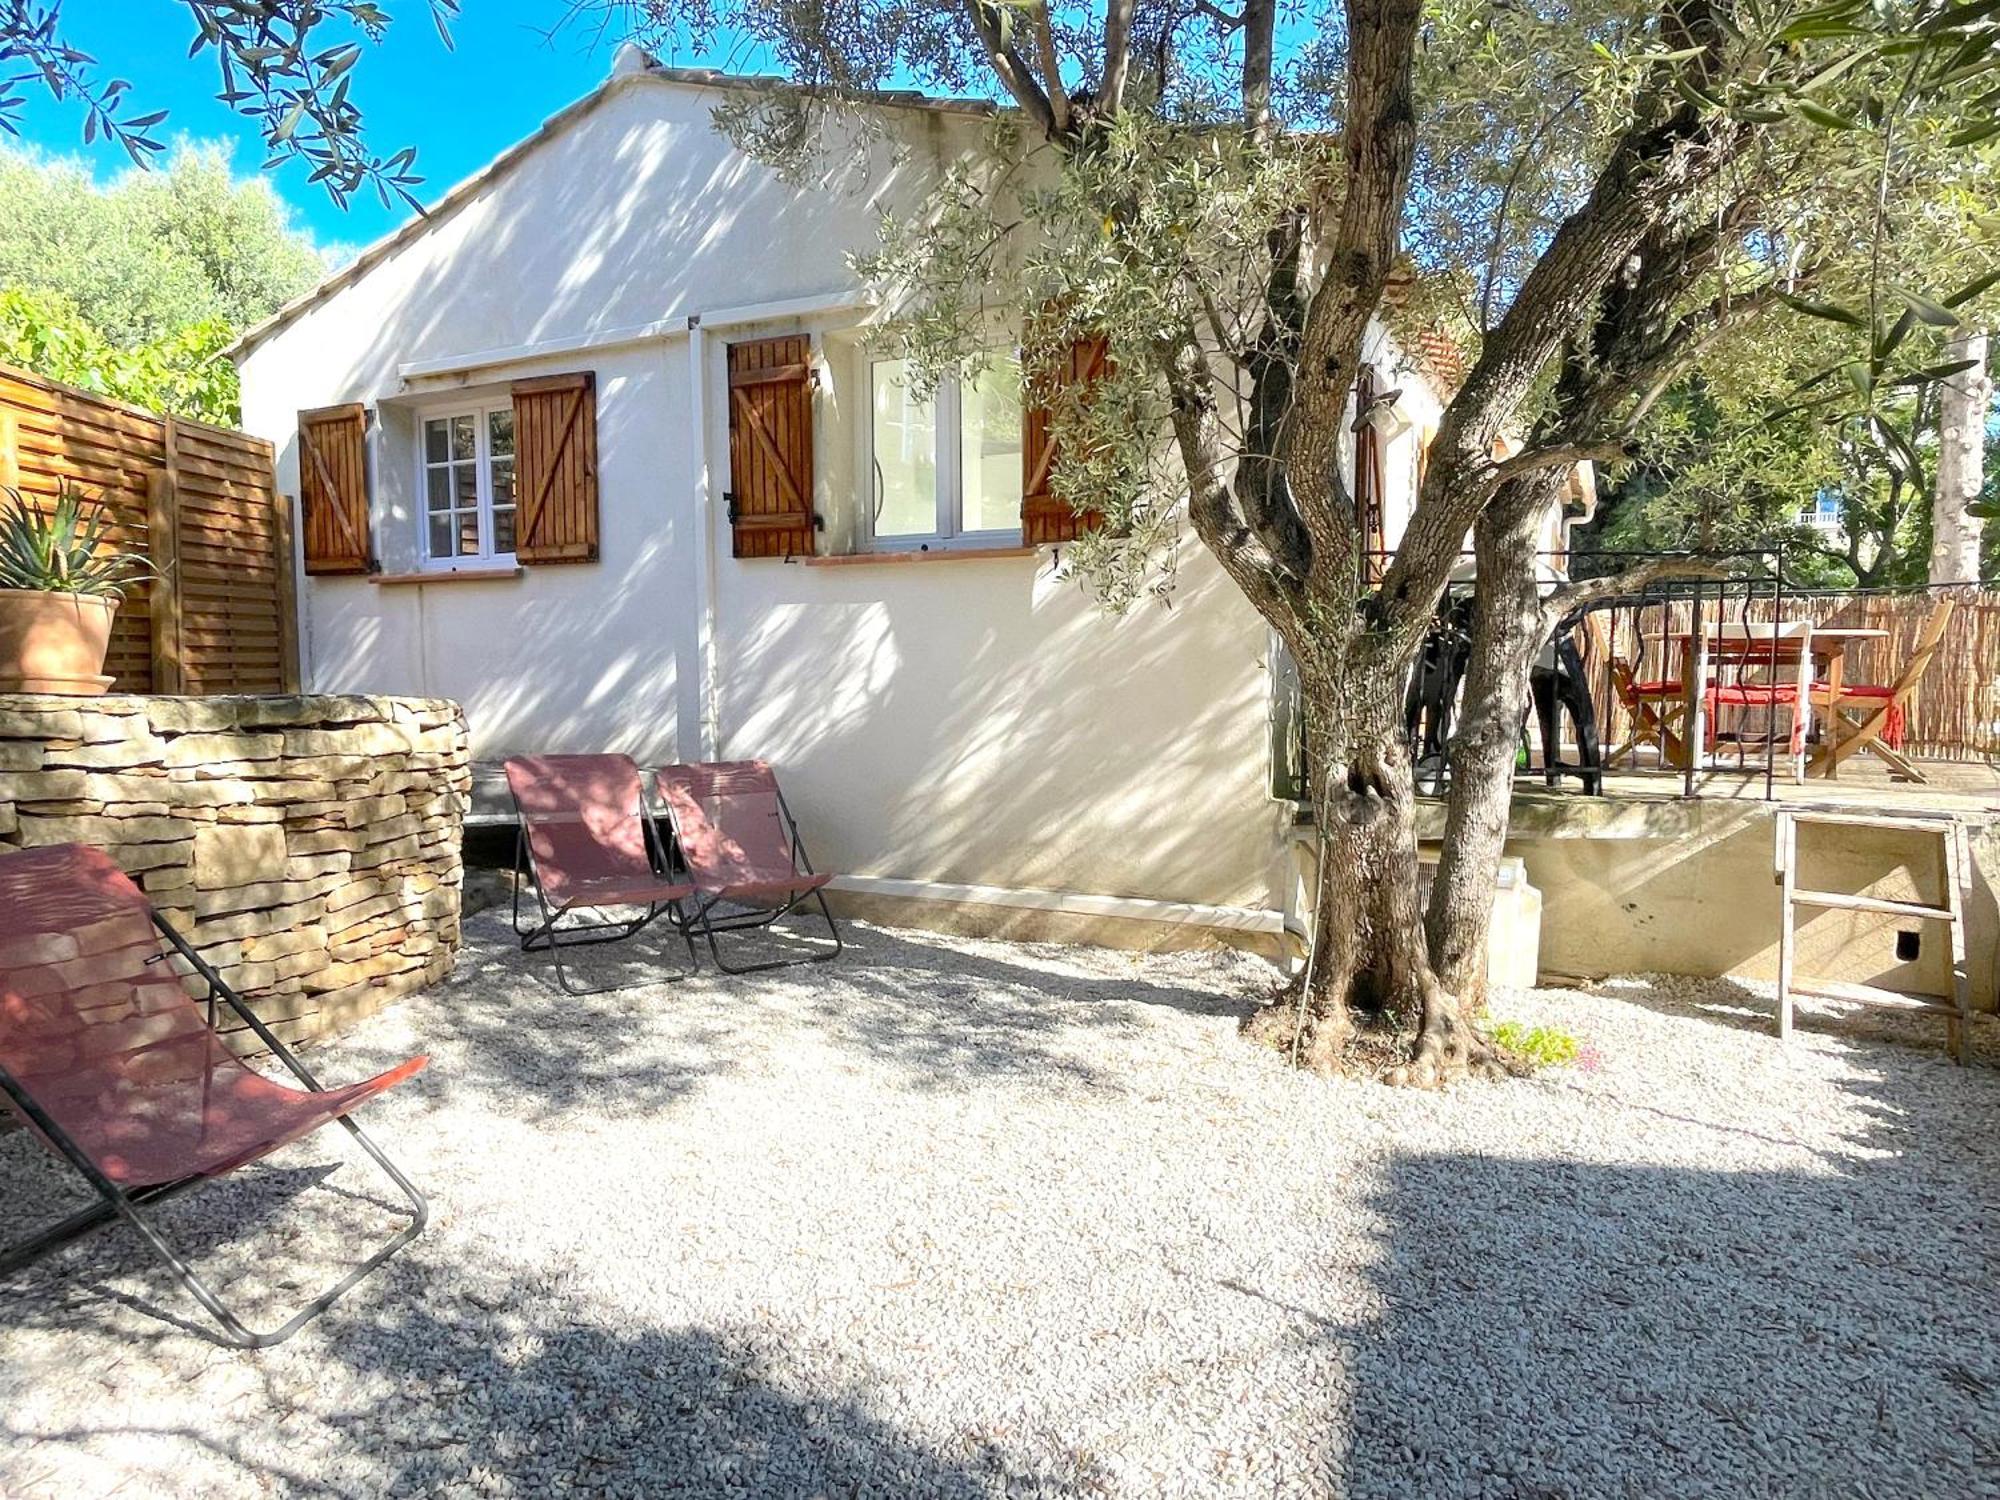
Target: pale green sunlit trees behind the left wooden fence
<point>135,289</point>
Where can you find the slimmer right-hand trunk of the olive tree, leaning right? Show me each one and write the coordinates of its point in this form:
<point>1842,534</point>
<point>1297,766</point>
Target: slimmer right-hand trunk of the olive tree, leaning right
<point>1509,629</point>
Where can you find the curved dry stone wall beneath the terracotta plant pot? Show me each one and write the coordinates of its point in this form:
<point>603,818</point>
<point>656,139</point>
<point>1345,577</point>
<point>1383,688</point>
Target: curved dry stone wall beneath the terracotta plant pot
<point>309,847</point>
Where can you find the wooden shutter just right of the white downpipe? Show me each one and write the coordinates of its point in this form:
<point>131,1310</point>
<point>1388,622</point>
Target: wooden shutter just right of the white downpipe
<point>771,447</point>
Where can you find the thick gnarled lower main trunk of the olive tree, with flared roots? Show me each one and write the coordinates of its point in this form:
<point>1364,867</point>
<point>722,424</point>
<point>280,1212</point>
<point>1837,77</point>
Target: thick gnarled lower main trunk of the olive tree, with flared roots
<point>1369,965</point>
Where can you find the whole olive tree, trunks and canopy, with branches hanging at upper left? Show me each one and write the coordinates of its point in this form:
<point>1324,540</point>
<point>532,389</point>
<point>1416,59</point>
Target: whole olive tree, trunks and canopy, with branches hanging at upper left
<point>1225,193</point>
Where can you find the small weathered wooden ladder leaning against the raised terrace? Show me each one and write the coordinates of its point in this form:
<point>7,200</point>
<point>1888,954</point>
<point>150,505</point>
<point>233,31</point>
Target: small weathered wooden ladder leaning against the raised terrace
<point>1951,835</point>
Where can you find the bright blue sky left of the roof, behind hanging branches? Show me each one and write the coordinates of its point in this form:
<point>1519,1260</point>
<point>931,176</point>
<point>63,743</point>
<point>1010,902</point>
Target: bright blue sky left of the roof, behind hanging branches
<point>457,107</point>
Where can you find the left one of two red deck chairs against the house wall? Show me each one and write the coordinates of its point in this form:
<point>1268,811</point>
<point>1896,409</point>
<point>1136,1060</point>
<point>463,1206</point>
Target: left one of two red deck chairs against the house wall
<point>589,845</point>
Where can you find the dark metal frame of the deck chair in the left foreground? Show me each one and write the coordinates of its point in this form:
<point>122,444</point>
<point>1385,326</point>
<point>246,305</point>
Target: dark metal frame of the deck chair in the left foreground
<point>129,1205</point>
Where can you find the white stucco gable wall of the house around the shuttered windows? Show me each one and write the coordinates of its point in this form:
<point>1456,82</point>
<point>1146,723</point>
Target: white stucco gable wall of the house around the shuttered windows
<point>969,721</point>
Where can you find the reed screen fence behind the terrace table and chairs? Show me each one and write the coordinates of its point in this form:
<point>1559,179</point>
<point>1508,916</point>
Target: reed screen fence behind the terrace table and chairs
<point>1957,713</point>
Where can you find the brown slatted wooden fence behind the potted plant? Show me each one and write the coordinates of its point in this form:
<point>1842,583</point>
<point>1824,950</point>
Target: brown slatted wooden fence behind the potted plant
<point>199,501</point>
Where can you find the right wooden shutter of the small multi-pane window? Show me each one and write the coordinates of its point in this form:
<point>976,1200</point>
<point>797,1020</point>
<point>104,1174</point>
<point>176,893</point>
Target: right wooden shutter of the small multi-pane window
<point>557,469</point>
